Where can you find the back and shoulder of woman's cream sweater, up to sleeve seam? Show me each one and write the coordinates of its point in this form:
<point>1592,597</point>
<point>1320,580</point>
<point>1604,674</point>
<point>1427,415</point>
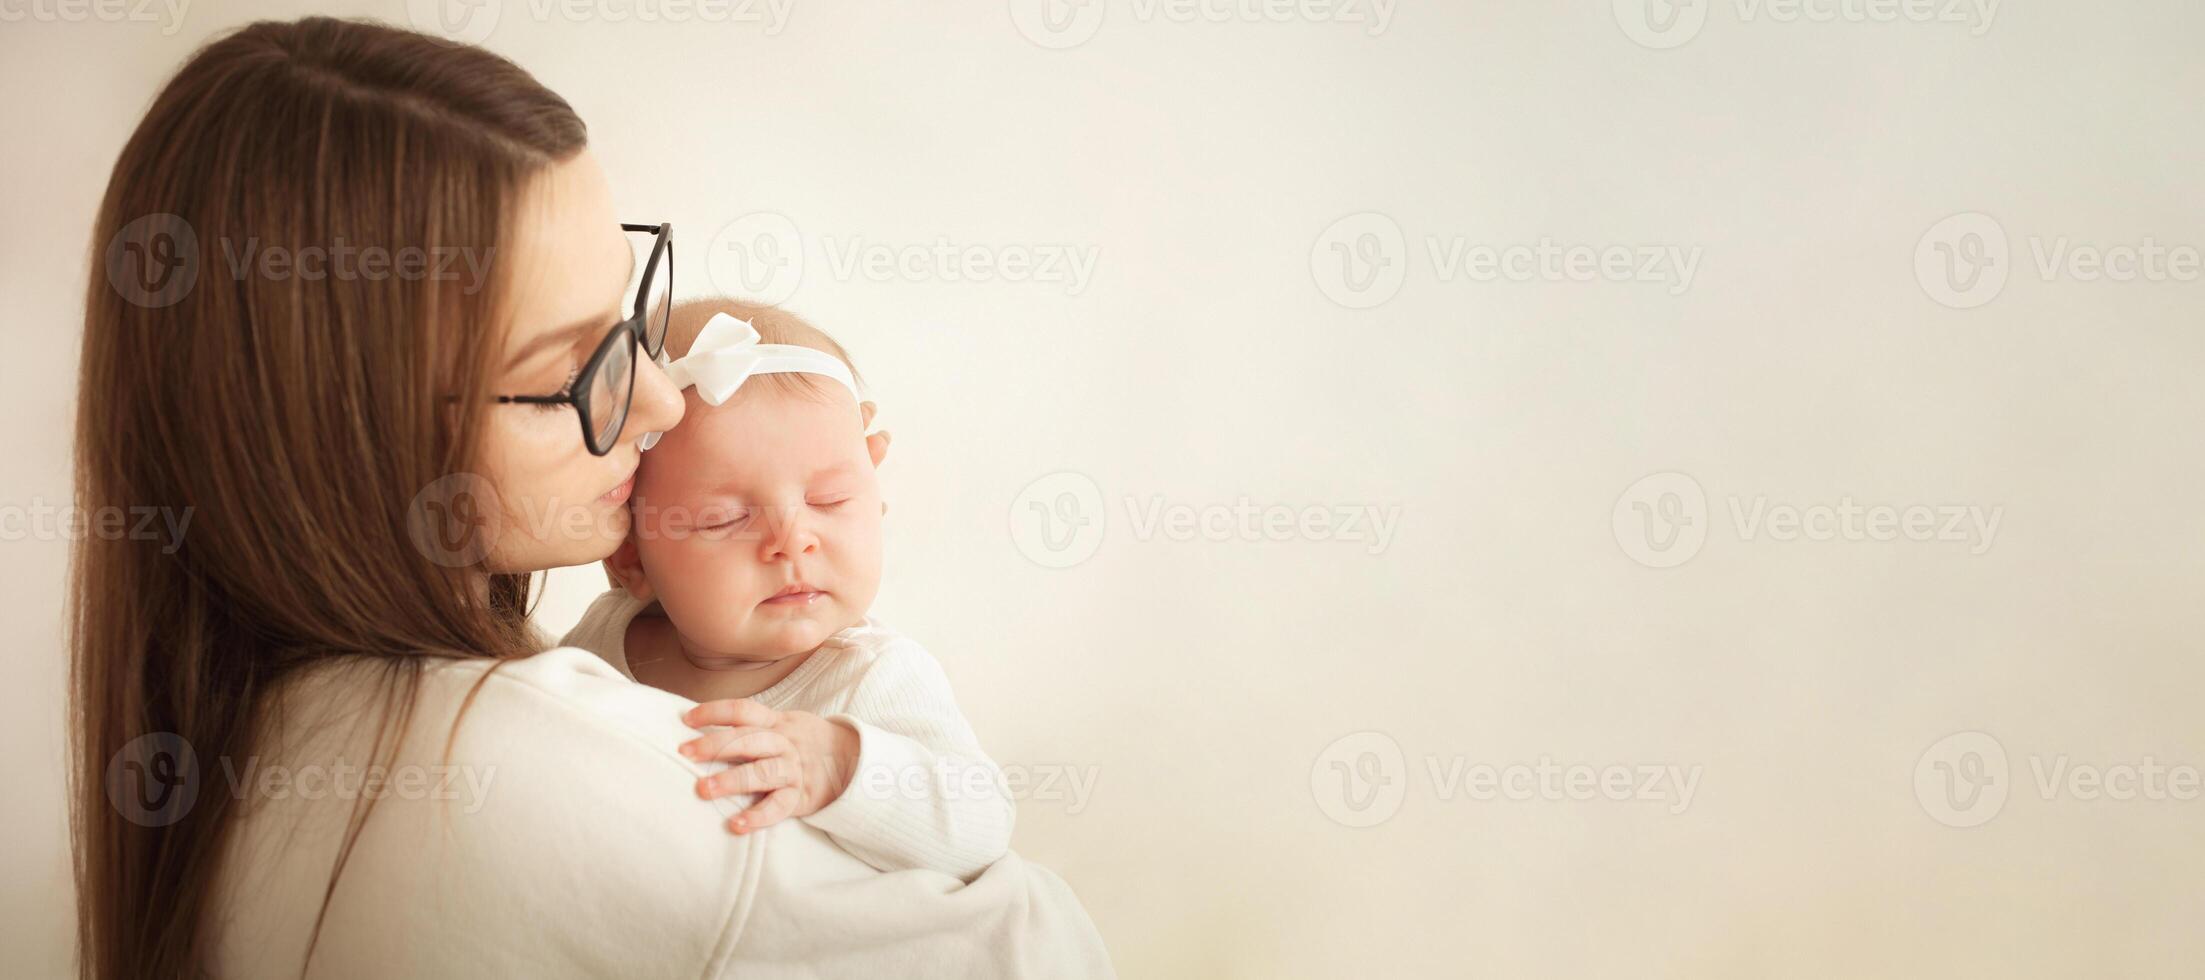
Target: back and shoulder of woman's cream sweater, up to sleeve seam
<point>537,816</point>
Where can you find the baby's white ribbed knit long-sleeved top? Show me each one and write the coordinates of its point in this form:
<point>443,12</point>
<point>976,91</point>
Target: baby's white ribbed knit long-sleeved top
<point>925,793</point>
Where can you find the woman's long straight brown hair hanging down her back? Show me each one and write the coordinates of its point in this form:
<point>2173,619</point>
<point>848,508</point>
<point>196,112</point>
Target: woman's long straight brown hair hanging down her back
<point>290,418</point>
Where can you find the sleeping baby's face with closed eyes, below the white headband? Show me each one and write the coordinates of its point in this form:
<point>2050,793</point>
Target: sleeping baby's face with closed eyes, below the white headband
<point>757,522</point>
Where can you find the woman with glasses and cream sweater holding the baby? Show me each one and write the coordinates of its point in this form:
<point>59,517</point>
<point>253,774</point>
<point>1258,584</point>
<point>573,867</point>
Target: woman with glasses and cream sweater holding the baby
<point>365,315</point>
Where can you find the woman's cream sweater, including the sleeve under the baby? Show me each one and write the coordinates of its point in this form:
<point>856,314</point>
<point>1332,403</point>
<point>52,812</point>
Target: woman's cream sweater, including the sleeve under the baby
<point>557,833</point>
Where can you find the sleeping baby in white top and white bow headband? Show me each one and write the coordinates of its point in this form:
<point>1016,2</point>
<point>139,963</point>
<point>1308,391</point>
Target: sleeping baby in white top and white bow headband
<point>746,582</point>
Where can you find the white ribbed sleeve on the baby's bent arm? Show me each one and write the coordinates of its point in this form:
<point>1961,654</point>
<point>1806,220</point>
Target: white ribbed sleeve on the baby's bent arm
<point>925,793</point>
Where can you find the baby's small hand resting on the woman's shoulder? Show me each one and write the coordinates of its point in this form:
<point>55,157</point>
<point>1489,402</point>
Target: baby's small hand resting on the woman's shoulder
<point>795,760</point>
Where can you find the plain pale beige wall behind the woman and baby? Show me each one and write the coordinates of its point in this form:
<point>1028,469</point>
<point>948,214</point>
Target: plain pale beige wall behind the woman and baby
<point>1238,343</point>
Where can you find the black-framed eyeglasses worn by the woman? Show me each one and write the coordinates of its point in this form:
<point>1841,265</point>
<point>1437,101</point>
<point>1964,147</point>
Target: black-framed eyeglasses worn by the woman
<point>605,387</point>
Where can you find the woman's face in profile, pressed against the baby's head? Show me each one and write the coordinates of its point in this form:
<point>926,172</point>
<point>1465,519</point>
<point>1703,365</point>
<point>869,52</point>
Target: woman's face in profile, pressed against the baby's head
<point>572,264</point>
